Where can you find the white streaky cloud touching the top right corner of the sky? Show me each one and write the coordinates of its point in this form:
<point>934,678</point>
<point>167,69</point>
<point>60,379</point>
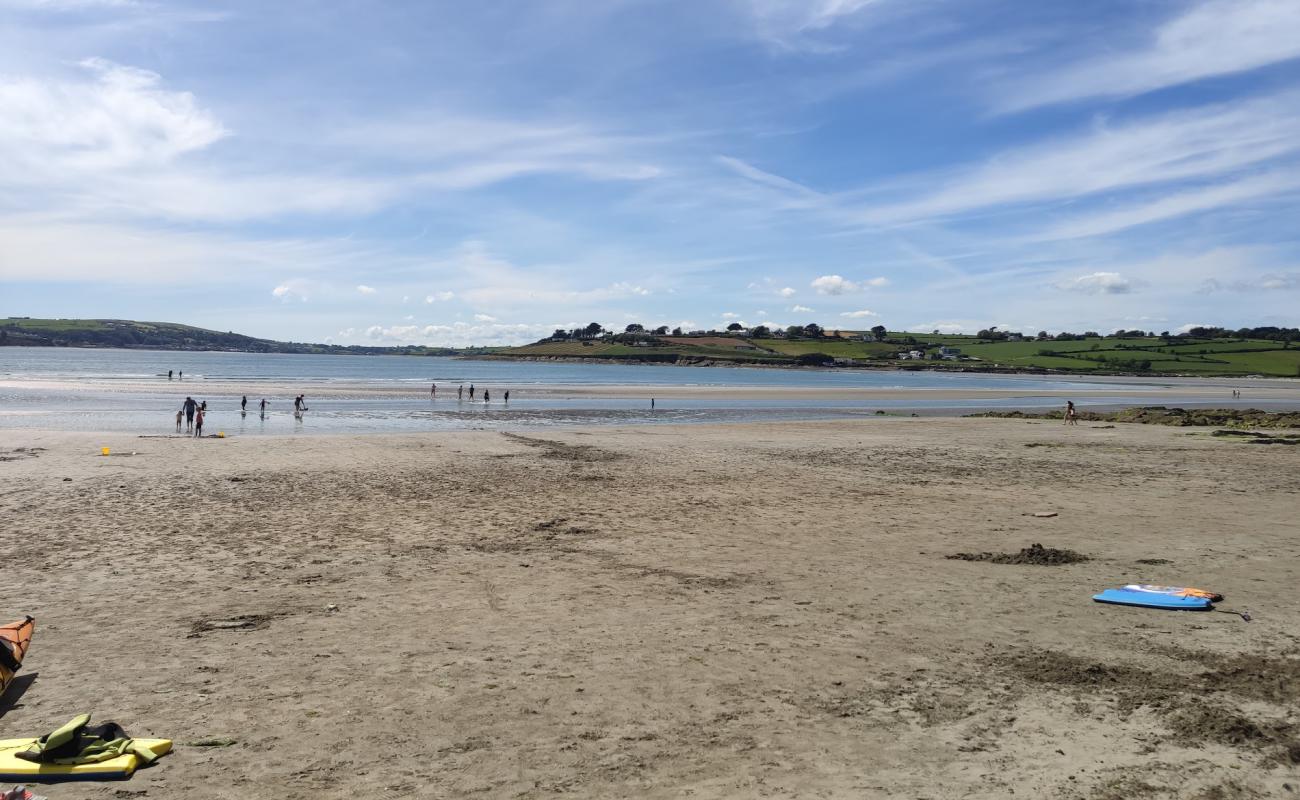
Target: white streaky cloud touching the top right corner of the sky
<point>1211,38</point>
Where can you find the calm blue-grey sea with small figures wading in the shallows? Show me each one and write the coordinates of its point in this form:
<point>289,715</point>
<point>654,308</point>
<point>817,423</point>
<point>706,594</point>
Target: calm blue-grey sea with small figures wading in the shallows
<point>84,390</point>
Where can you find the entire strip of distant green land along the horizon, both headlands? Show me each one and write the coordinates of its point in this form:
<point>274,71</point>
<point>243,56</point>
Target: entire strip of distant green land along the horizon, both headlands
<point>1199,353</point>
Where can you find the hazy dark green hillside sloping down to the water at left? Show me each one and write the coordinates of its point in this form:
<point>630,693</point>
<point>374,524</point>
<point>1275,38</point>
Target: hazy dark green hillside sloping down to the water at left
<point>166,336</point>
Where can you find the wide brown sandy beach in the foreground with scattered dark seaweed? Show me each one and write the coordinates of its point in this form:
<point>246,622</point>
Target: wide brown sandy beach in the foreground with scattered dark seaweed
<point>759,611</point>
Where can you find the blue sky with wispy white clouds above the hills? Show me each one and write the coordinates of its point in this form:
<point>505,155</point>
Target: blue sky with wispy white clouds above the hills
<point>476,174</point>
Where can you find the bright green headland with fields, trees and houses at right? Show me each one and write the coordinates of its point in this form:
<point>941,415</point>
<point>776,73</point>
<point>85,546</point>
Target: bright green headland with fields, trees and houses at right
<point>1134,356</point>
